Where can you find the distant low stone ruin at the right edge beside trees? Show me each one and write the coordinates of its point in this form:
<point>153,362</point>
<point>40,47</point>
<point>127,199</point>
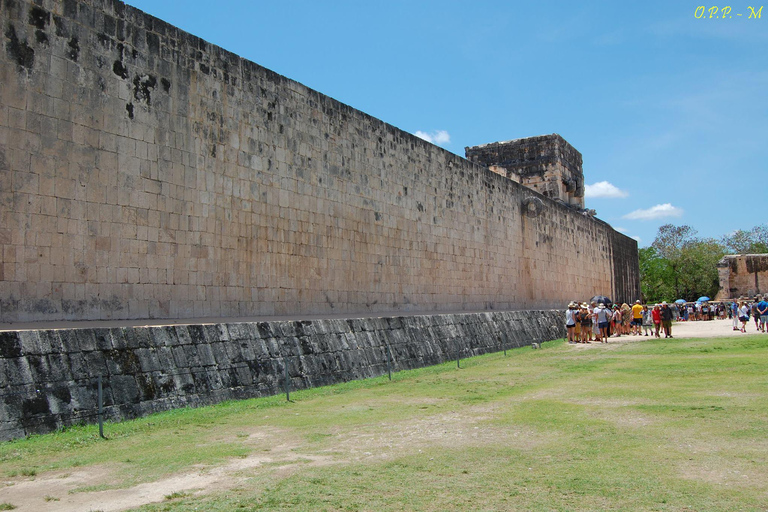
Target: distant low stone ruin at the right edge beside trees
<point>742,275</point>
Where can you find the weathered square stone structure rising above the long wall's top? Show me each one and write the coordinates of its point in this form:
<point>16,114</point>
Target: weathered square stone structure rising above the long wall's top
<point>547,164</point>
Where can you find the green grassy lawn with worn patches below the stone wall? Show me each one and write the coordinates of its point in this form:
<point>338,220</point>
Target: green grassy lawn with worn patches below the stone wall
<point>655,425</point>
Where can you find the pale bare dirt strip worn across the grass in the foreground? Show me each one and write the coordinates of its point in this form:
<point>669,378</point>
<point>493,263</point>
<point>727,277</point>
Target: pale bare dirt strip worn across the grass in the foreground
<point>60,491</point>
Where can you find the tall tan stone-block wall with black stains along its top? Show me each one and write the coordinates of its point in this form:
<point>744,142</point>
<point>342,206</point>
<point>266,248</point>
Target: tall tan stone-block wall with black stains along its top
<point>145,173</point>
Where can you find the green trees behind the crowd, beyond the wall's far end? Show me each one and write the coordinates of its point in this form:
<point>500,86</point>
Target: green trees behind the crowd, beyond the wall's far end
<point>680,265</point>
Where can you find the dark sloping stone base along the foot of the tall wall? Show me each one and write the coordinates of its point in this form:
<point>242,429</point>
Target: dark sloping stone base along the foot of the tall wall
<point>48,378</point>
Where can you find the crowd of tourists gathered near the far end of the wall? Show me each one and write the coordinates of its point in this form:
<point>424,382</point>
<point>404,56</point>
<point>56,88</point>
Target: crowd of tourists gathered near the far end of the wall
<point>596,321</point>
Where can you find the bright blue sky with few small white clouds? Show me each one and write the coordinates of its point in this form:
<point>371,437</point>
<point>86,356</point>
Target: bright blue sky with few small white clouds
<point>669,110</point>
